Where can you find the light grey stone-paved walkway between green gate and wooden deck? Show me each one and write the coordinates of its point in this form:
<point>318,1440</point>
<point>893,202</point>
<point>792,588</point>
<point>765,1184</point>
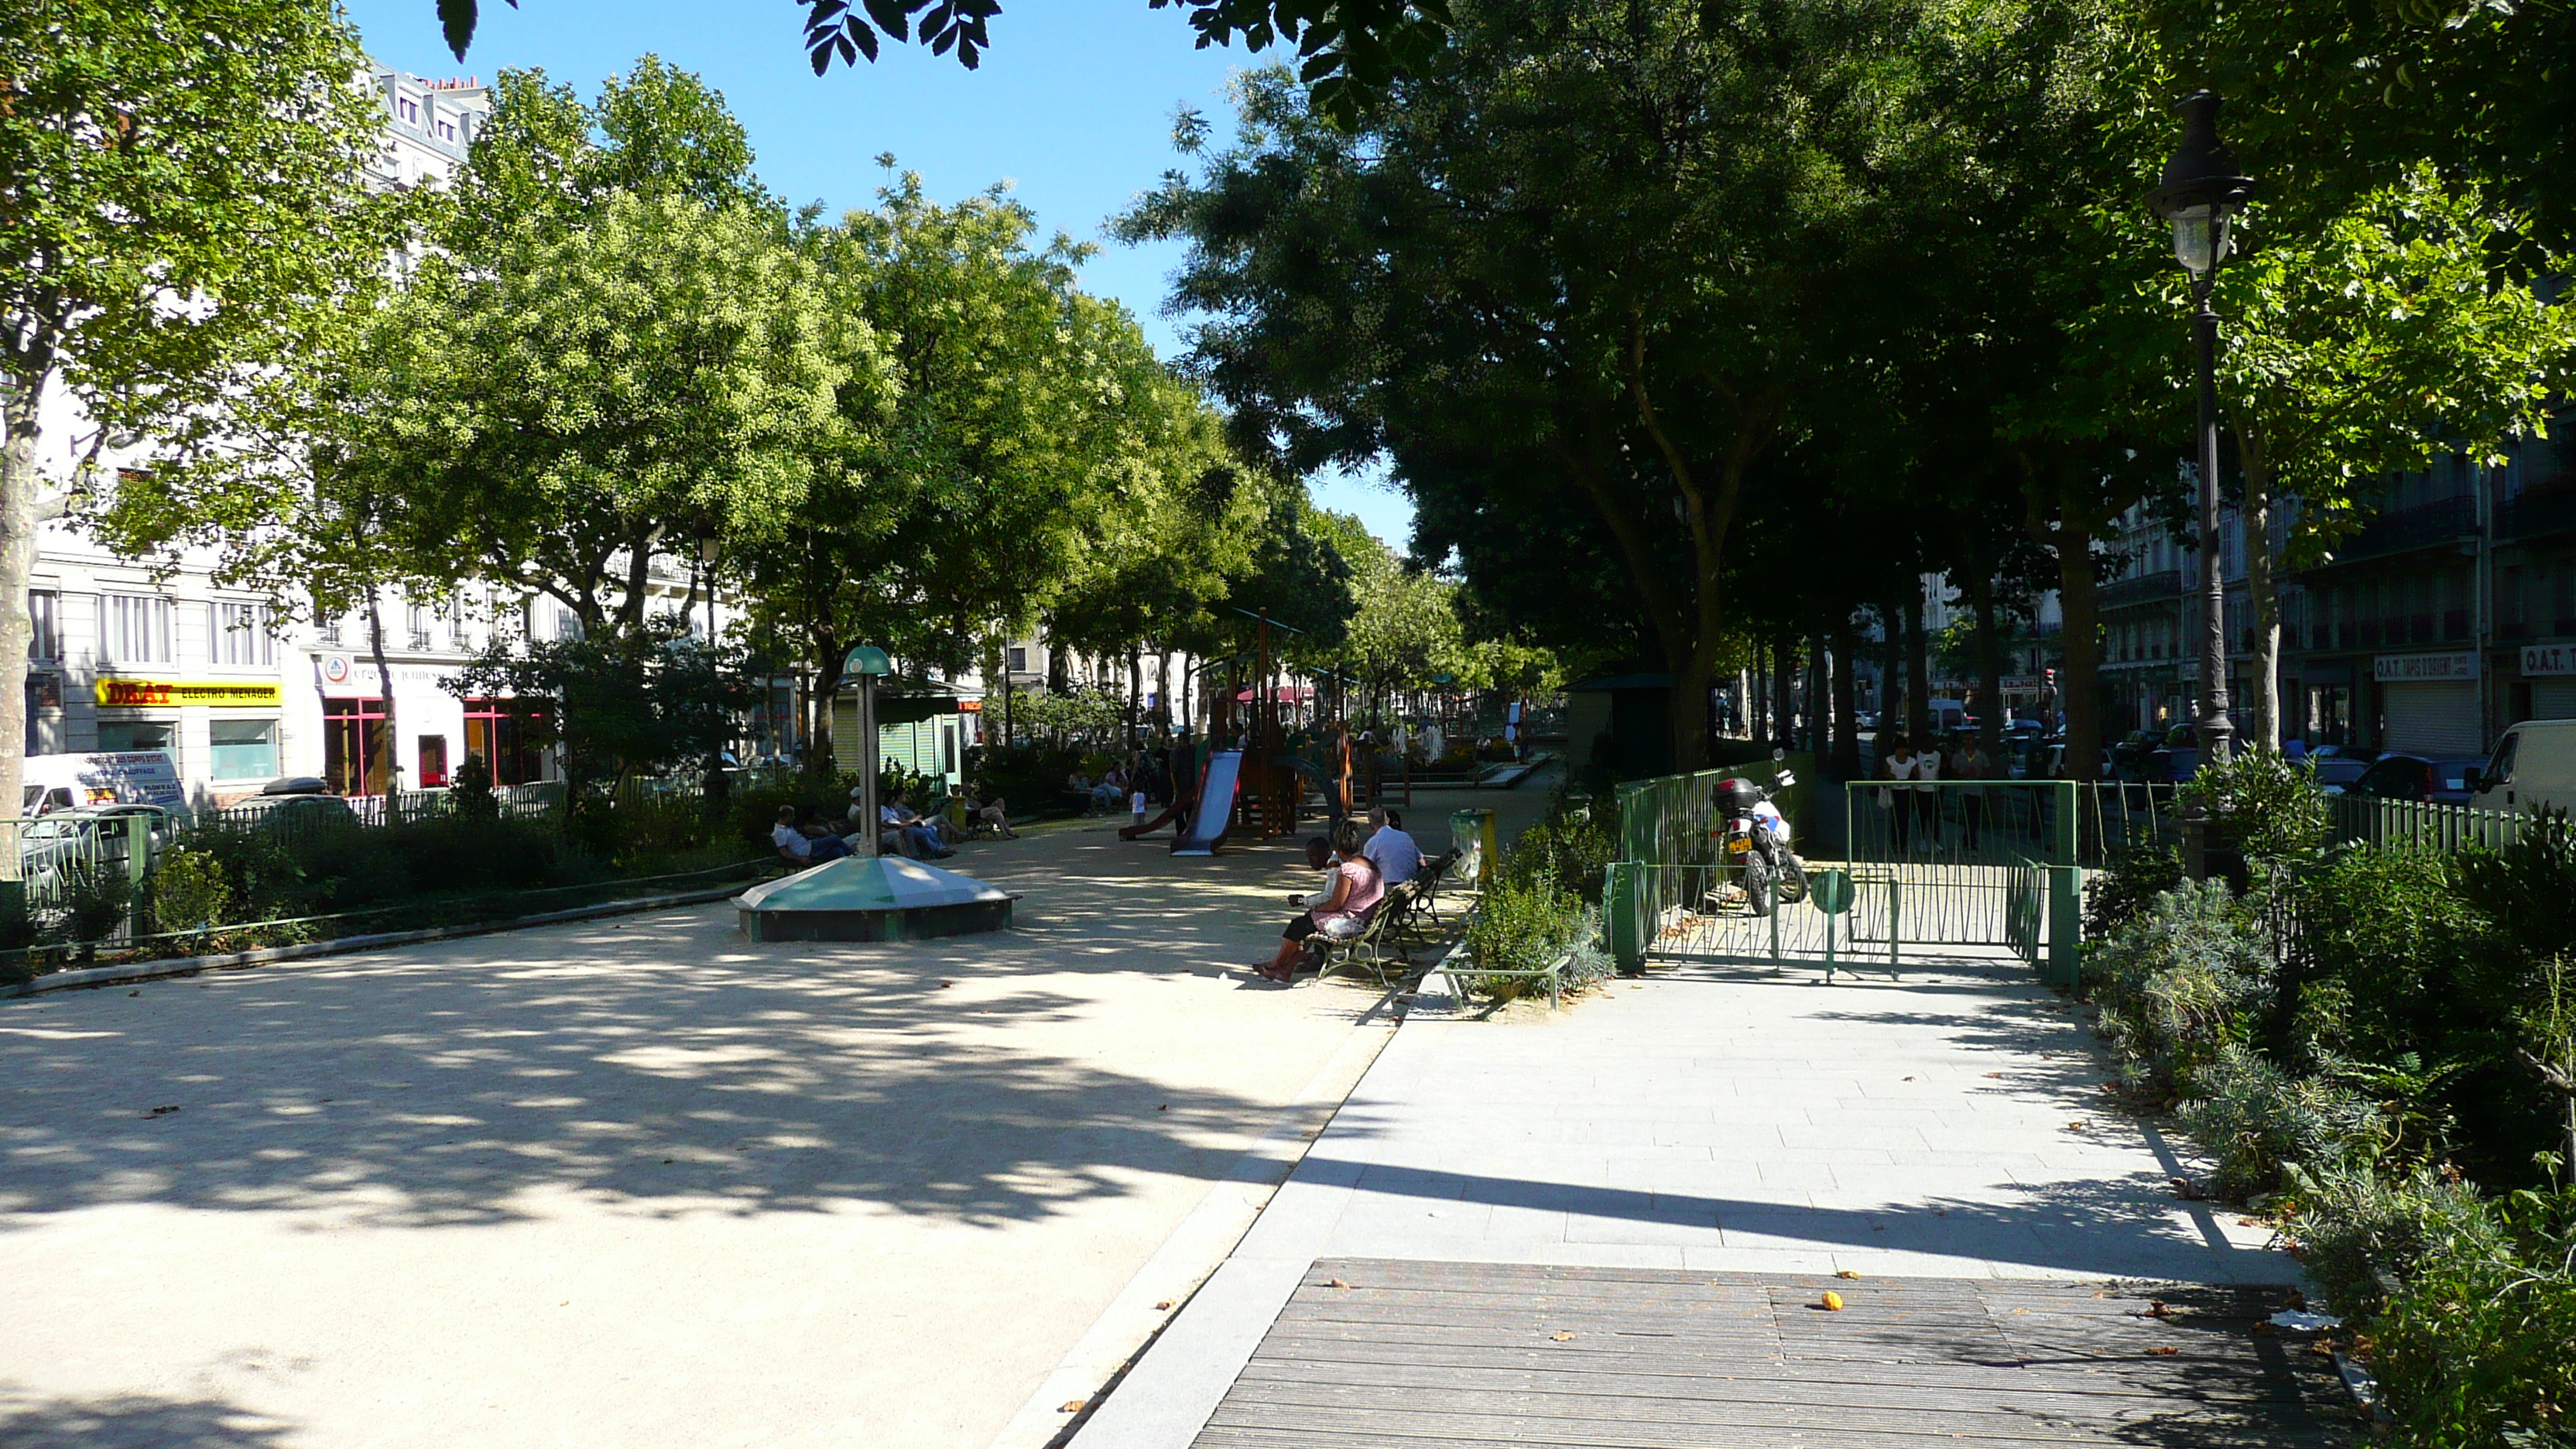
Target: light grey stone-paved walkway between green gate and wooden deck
<point>1714,1123</point>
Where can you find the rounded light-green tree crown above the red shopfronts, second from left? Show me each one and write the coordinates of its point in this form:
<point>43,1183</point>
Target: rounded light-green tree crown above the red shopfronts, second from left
<point>604,396</point>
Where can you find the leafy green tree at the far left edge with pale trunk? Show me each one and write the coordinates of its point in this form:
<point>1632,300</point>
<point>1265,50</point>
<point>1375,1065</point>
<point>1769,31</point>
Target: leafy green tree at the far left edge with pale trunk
<point>179,197</point>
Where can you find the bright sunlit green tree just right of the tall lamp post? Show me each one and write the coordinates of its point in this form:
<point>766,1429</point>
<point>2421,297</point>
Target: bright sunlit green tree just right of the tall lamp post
<point>2376,344</point>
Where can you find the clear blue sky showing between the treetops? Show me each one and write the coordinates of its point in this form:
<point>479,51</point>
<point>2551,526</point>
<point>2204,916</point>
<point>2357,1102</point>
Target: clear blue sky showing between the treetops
<point>1073,107</point>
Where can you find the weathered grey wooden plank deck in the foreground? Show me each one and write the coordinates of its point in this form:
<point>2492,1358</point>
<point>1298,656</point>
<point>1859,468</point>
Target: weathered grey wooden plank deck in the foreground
<point>1454,1355</point>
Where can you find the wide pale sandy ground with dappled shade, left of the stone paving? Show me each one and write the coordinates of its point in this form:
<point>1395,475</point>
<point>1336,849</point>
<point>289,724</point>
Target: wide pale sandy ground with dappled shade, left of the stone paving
<point>638,1182</point>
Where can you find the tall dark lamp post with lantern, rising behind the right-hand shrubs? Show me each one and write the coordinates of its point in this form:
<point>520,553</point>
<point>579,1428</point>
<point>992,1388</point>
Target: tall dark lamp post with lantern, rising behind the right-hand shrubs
<point>2201,195</point>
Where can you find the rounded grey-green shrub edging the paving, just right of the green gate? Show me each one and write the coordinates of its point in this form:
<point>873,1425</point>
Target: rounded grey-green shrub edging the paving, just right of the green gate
<point>2178,984</point>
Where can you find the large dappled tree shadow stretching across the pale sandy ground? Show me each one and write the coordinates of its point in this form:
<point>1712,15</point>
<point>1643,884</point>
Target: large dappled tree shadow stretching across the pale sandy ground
<point>666,1066</point>
